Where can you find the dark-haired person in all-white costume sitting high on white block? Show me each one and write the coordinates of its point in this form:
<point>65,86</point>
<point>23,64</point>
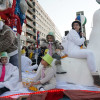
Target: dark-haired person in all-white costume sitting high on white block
<point>75,40</point>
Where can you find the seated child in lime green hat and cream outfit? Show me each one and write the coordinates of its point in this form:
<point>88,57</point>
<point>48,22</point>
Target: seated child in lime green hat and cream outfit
<point>45,79</point>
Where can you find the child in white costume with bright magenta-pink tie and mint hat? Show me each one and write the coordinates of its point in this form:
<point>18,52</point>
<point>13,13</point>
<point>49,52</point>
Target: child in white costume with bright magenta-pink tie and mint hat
<point>9,75</point>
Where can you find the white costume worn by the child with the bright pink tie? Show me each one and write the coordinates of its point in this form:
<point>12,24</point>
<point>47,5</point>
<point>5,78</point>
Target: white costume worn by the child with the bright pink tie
<point>11,79</point>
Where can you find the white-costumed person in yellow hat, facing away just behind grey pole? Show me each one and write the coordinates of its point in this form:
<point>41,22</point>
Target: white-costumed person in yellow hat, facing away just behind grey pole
<point>26,63</point>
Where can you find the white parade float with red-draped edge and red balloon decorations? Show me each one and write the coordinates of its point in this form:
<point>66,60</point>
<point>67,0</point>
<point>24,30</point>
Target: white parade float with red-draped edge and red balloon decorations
<point>75,82</point>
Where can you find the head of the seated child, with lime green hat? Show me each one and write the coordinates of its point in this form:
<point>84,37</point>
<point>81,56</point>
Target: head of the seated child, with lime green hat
<point>46,60</point>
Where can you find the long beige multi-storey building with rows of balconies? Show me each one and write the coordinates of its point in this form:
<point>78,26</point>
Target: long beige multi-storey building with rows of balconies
<point>37,20</point>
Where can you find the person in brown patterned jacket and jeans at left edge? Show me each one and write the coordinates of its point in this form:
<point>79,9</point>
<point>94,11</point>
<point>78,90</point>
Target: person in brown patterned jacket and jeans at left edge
<point>8,42</point>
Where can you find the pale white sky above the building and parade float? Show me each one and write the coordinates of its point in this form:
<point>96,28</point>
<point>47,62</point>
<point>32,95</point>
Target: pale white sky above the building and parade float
<point>63,12</point>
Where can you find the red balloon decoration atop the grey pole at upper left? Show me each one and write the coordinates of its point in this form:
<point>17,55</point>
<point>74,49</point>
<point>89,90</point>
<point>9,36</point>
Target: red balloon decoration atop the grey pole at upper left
<point>10,18</point>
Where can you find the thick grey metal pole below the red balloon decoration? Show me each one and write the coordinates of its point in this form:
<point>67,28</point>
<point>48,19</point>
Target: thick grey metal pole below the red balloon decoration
<point>19,59</point>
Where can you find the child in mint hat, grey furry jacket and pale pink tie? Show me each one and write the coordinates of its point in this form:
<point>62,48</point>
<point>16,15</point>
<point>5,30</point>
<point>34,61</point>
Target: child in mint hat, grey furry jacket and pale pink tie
<point>52,45</point>
